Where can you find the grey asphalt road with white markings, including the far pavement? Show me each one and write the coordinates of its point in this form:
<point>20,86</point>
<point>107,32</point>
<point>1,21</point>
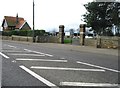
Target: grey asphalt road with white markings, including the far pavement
<point>41,65</point>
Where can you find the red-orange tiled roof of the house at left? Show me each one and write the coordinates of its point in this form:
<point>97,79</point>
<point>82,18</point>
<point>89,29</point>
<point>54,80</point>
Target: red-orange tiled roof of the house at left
<point>12,21</point>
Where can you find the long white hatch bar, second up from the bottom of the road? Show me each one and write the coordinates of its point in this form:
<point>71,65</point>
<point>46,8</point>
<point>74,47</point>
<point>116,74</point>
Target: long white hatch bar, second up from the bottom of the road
<point>58,68</point>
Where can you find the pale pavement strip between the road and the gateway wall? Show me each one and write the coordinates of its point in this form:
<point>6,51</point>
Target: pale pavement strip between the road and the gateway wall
<point>83,48</point>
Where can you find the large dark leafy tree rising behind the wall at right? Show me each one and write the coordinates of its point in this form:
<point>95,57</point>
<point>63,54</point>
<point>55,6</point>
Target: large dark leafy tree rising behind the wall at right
<point>102,15</point>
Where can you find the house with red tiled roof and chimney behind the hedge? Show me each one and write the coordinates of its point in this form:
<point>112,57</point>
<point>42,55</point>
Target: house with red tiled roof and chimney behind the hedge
<point>14,23</point>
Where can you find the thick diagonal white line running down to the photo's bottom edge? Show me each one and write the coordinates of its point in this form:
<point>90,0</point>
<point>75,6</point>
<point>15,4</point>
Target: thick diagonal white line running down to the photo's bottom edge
<point>48,83</point>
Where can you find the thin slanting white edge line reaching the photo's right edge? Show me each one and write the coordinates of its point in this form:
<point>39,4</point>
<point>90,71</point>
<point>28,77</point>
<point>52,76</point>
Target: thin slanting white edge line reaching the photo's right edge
<point>98,66</point>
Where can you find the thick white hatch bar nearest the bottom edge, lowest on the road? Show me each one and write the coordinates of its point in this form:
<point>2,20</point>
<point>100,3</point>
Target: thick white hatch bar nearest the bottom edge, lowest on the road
<point>87,84</point>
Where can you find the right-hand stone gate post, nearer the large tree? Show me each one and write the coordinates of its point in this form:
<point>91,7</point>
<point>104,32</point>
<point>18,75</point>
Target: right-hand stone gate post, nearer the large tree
<point>82,34</point>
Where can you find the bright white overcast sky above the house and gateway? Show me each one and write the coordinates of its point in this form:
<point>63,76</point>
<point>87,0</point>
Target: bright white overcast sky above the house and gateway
<point>49,14</point>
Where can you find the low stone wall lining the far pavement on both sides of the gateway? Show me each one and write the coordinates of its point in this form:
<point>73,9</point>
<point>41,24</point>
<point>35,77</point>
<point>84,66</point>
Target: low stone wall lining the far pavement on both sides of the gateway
<point>105,42</point>
